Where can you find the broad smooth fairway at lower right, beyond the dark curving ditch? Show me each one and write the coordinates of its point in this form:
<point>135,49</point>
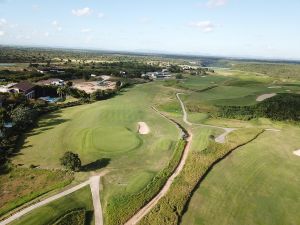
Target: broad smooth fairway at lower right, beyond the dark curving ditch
<point>258,184</point>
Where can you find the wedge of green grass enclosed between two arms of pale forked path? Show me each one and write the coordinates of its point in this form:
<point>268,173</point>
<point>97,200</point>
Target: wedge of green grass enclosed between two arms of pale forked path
<point>48,214</point>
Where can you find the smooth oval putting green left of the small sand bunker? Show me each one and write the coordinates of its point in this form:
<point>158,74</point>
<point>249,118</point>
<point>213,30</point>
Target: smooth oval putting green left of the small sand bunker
<point>107,140</point>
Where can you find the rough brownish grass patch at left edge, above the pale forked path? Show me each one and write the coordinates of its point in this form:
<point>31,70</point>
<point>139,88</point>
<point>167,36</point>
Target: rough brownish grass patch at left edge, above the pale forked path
<point>21,185</point>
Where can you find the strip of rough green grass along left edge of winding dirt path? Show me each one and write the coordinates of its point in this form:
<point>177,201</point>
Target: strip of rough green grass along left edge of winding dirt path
<point>122,208</point>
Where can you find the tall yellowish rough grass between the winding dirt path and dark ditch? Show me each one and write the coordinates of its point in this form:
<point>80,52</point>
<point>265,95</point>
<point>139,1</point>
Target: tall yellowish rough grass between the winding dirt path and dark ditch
<point>171,207</point>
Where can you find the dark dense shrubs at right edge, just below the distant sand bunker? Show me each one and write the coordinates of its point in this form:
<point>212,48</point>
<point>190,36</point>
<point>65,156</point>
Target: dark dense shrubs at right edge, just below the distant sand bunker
<point>280,107</point>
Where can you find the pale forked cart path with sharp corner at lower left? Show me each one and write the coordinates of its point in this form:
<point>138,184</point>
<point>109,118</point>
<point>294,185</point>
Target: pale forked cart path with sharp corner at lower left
<point>94,183</point>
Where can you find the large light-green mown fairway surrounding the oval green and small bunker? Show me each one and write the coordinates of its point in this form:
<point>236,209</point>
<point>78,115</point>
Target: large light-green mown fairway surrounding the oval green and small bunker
<point>108,129</point>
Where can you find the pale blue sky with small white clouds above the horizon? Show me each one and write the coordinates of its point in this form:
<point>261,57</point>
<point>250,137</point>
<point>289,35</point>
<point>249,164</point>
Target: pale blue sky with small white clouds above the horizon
<point>249,28</point>
